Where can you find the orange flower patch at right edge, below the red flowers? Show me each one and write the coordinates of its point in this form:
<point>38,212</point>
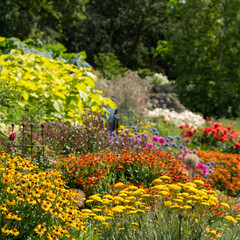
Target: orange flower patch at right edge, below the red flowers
<point>226,174</point>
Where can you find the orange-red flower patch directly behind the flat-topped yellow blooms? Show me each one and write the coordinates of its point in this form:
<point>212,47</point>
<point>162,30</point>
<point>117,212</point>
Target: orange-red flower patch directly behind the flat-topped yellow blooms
<point>139,168</point>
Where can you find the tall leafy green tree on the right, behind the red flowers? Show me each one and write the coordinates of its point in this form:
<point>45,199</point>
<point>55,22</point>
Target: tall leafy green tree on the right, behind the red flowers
<point>203,45</point>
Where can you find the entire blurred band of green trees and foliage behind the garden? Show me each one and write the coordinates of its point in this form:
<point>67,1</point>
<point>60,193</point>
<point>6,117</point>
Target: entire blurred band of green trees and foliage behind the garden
<point>194,43</point>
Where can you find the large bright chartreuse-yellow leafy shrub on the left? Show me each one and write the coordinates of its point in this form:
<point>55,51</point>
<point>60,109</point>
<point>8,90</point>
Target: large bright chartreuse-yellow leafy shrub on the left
<point>31,84</point>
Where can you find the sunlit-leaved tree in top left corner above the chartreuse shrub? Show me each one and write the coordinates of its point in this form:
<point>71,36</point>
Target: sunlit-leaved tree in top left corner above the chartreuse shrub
<point>47,20</point>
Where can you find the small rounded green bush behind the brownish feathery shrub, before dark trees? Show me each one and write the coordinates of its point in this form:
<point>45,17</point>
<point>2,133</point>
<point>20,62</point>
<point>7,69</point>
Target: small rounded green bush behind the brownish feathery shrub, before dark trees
<point>109,66</point>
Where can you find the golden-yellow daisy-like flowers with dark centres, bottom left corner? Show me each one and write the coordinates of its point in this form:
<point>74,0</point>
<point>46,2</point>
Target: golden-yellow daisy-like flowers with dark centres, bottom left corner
<point>27,188</point>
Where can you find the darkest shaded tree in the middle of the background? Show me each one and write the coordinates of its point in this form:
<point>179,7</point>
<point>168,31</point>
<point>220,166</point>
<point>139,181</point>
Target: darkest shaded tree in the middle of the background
<point>130,29</point>
